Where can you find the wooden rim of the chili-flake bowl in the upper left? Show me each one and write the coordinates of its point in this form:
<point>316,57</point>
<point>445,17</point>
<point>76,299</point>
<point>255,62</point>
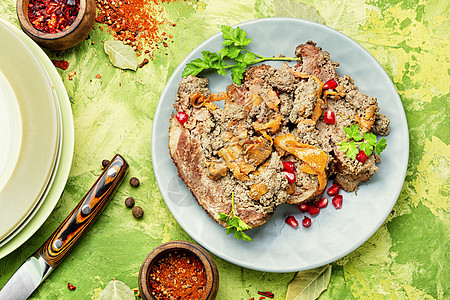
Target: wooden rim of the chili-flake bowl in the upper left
<point>26,24</point>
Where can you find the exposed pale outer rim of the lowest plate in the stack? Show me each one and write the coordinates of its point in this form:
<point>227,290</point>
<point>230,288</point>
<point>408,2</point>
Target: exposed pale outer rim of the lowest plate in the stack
<point>54,191</point>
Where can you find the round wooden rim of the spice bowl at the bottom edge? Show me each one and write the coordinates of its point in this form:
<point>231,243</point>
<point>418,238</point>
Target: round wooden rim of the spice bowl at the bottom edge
<point>204,257</point>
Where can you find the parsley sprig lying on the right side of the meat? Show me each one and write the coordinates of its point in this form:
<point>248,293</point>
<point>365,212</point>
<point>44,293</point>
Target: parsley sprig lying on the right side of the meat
<point>366,143</point>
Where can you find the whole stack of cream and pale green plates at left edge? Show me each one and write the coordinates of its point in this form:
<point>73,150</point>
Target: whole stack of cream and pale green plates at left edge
<point>36,137</point>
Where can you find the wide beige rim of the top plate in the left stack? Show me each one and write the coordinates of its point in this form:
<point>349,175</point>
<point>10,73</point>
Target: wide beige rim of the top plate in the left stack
<point>32,172</point>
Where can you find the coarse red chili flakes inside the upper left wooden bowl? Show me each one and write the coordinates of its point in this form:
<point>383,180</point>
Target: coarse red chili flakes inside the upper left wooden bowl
<point>52,16</point>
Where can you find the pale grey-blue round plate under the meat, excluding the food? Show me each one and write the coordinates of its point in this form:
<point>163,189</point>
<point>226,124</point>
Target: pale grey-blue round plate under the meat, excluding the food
<point>277,247</point>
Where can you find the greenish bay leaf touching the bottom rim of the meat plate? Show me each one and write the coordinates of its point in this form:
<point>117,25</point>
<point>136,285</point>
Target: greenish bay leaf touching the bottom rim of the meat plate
<point>308,285</point>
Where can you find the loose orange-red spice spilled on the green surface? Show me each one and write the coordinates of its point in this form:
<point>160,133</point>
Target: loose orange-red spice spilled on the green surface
<point>138,23</point>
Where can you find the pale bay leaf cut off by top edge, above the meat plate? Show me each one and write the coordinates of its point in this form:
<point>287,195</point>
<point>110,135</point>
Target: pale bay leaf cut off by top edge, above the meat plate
<point>296,9</point>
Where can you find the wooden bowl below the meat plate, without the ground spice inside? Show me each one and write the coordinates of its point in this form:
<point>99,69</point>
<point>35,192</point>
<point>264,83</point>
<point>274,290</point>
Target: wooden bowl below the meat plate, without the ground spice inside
<point>162,251</point>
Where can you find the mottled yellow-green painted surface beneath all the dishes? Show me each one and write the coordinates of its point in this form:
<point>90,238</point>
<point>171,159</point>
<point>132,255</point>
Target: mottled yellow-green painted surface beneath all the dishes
<point>407,258</point>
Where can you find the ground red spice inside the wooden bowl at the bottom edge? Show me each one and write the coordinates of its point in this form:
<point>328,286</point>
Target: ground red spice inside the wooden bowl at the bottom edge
<point>177,275</point>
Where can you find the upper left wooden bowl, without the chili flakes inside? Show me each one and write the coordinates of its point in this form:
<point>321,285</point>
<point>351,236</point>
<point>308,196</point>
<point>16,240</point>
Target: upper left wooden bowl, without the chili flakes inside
<point>68,38</point>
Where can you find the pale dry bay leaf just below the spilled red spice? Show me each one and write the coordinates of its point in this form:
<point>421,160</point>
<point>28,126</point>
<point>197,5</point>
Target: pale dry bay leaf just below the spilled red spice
<point>121,56</point>
